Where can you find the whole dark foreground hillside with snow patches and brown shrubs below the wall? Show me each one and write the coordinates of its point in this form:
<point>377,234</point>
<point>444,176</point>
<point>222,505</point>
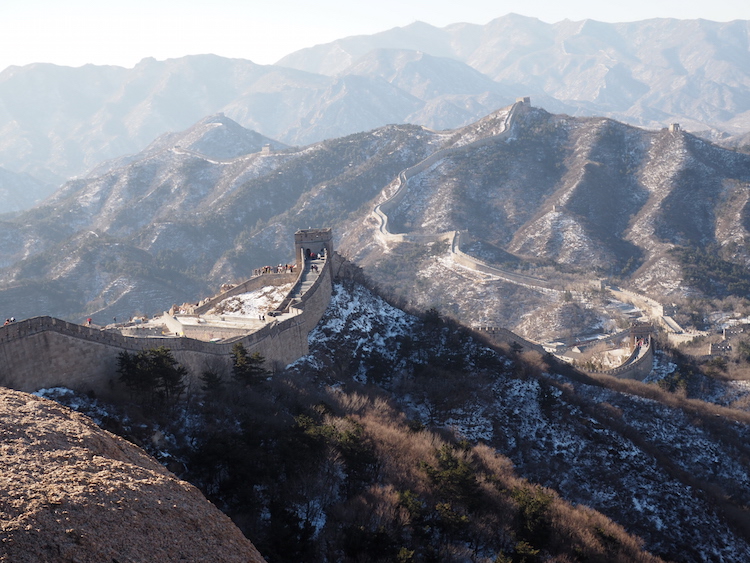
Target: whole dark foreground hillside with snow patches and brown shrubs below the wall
<point>403,436</point>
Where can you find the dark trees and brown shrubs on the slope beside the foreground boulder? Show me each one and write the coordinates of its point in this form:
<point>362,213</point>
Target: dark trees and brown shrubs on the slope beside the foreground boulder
<point>313,474</point>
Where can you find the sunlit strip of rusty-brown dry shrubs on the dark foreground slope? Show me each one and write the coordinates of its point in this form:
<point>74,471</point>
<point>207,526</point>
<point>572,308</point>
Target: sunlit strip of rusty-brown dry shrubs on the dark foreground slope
<point>459,485</point>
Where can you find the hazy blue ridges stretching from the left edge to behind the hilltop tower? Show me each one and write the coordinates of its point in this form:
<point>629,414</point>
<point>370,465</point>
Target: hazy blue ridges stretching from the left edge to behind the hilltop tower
<point>124,110</point>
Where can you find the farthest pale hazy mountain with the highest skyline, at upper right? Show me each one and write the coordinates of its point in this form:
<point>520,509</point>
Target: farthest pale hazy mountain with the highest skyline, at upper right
<point>647,72</point>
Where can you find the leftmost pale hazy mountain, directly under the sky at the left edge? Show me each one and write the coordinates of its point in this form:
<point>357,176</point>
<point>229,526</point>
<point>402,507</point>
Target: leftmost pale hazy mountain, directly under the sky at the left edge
<point>58,121</point>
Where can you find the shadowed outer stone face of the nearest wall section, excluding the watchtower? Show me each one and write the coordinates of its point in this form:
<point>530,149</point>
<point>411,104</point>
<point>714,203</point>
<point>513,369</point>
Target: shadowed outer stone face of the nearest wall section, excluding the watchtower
<point>47,352</point>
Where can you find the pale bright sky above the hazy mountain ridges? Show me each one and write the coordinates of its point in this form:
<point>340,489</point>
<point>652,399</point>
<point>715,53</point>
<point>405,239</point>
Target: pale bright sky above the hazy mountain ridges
<point>117,32</point>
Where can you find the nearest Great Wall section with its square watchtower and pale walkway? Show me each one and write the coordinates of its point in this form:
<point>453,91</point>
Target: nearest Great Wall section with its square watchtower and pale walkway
<point>47,352</point>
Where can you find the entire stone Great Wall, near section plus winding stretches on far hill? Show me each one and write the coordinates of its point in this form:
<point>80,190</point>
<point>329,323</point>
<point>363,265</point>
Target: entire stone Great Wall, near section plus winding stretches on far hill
<point>48,352</point>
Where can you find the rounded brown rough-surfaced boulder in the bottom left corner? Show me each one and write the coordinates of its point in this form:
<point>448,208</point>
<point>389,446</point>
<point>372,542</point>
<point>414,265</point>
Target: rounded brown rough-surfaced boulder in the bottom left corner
<point>72,492</point>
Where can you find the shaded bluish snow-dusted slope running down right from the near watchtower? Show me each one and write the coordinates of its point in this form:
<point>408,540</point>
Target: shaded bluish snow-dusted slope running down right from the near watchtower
<point>637,460</point>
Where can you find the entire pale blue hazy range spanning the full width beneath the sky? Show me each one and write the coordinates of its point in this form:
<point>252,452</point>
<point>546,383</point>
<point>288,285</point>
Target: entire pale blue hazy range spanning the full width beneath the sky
<point>58,122</point>
